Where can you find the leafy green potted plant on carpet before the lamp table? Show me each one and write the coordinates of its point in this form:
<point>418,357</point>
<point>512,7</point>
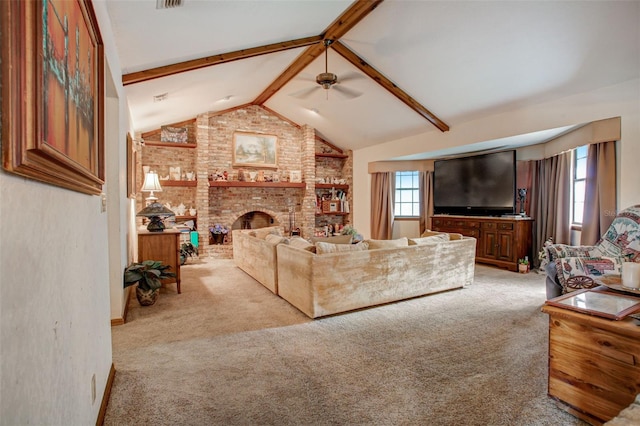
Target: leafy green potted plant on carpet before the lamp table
<point>148,276</point>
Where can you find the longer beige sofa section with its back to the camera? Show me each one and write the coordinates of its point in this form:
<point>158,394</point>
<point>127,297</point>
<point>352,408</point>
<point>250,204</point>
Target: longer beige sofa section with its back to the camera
<point>325,284</point>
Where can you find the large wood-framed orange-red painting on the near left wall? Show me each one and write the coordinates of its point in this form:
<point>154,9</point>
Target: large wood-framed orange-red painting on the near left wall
<point>53,80</point>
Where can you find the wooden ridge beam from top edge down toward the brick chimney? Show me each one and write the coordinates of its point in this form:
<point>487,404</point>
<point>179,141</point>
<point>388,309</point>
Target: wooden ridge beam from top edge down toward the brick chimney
<point>347,20</point>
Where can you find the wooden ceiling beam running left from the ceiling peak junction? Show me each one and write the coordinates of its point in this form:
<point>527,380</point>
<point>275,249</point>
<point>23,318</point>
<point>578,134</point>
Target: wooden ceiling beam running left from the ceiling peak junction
<point>194,64</point>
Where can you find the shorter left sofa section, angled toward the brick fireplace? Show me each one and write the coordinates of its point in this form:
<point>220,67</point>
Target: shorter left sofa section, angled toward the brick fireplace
<point>256,254</point>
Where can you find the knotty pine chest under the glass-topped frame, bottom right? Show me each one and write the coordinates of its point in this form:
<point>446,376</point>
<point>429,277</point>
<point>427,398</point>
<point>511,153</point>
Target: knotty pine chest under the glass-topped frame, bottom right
<point>594,363</point>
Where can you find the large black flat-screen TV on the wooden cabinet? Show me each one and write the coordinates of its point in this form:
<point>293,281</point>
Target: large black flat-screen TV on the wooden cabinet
<point>481,185</point>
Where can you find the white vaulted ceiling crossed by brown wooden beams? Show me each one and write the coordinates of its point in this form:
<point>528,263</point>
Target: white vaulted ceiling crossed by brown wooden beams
<point>403,67</point>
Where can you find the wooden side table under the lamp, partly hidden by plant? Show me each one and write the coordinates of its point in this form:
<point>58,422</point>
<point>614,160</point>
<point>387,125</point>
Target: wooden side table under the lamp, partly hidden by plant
<point>163,246</point>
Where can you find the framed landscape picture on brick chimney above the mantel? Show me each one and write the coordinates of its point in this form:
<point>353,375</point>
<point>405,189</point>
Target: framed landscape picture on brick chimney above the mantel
<point>255,150</point>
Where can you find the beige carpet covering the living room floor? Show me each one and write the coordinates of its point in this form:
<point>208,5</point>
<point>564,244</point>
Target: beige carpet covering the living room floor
<point>228,352</point>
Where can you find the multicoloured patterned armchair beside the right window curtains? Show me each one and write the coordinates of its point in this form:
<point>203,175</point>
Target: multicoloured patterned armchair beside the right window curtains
<point>576,267</point>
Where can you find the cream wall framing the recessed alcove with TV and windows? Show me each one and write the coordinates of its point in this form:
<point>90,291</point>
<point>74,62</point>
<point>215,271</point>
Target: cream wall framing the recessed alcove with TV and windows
<point>620,100</point>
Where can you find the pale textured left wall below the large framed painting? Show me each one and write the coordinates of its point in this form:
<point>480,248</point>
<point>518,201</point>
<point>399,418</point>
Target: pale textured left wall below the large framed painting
<point>54,303</point>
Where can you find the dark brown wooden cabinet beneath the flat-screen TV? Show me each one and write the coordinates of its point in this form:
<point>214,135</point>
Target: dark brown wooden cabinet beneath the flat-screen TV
<point>501,240</point>
